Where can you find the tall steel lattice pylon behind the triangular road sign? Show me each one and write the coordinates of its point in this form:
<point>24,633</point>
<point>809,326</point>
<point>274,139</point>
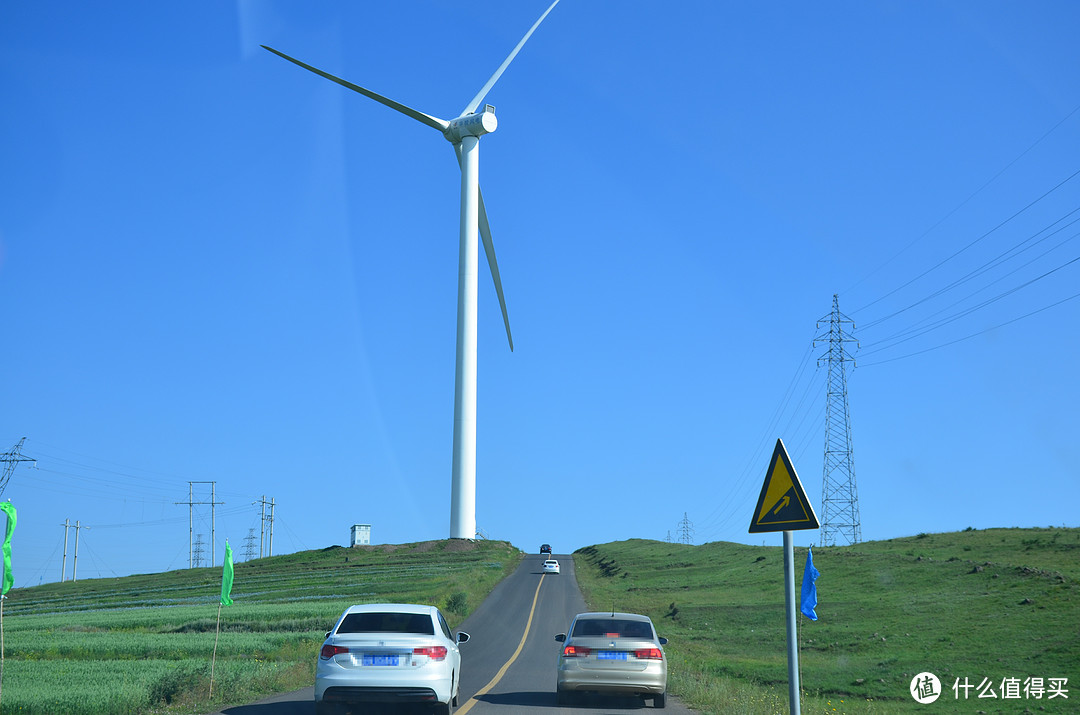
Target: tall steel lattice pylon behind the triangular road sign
<point>840,523</point>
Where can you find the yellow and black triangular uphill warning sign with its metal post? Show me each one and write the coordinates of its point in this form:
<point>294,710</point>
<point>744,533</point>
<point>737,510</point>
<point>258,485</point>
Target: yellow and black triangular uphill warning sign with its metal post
<point>784,507</point>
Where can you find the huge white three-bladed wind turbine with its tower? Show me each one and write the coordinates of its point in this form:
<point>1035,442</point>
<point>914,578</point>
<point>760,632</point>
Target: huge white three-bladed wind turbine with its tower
<point>464,133</point>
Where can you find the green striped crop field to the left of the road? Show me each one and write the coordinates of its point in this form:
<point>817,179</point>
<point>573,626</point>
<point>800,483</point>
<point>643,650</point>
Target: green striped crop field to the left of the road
<point>144,644</point>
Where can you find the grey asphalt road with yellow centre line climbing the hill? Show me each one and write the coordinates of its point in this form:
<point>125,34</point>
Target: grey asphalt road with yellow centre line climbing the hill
<point>508,667</point>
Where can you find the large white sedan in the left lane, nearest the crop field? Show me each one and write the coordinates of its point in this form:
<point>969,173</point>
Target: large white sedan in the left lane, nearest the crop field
<point>389,654</point>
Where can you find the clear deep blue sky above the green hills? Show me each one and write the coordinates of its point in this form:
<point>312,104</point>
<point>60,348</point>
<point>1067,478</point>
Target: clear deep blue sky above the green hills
<point>215,266</point>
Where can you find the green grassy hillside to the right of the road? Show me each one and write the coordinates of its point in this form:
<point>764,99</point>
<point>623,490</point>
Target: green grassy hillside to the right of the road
<point>993,604</point>
